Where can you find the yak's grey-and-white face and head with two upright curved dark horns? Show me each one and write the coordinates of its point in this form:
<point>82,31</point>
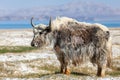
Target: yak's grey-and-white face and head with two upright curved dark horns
<point>40,31</point>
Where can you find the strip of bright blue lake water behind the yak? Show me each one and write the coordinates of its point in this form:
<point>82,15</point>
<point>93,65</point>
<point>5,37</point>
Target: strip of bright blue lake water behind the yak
<point>26,24</point>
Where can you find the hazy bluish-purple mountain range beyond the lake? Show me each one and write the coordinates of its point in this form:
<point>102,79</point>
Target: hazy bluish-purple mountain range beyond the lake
<point>78,10</point>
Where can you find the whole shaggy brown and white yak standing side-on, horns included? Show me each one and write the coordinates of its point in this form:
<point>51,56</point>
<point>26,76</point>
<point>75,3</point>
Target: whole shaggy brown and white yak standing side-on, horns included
<point>75,42</point>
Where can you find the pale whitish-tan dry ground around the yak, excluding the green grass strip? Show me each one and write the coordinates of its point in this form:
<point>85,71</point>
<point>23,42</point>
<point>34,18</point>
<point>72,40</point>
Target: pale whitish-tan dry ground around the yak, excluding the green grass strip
<point>42,64</point>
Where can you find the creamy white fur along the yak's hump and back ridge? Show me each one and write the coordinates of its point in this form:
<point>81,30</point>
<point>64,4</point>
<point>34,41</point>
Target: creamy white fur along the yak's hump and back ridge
<point>56,24</point>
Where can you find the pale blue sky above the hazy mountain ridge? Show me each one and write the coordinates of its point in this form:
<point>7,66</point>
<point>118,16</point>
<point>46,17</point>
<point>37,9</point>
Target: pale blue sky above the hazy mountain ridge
<point>20,4</point>
